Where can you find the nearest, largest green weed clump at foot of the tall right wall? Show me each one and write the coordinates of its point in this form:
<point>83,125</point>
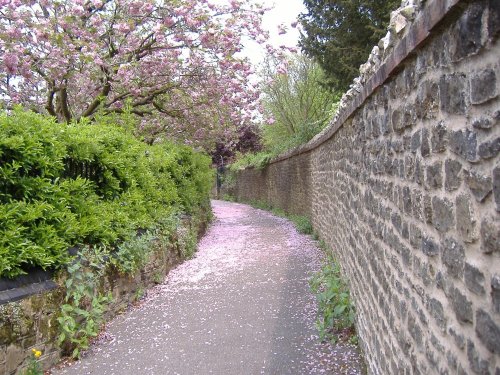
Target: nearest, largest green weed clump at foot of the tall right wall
<point>336,311</point>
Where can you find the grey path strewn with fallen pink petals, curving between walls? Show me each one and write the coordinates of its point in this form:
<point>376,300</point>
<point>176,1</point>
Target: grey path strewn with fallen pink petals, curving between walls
<point>241,306</point>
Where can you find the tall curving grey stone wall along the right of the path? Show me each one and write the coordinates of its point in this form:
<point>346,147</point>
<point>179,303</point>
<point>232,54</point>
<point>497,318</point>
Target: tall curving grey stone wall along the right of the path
<point>404,187</point>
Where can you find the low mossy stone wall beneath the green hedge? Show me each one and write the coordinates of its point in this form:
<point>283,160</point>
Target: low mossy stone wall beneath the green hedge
<point>31,322</point>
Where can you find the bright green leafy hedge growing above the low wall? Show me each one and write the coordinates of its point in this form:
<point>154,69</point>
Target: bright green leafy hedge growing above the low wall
<point>63,185</point>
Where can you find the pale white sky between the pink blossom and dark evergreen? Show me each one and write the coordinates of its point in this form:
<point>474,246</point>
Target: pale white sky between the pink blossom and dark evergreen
<point>284,12</point>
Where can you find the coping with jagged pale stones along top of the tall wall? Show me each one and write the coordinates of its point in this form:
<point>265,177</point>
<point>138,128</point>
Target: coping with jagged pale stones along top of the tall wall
<point>427,19</point>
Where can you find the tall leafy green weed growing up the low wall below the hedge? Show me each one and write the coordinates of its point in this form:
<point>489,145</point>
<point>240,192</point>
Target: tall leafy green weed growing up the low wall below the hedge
<point>82,313</point>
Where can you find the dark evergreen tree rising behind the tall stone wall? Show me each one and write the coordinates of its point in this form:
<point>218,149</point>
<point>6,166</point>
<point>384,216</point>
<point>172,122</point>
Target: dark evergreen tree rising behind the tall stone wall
<point>340,34</point>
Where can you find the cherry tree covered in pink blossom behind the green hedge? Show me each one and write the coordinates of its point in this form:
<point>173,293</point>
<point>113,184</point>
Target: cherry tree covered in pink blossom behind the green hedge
<point>172,63</point>
